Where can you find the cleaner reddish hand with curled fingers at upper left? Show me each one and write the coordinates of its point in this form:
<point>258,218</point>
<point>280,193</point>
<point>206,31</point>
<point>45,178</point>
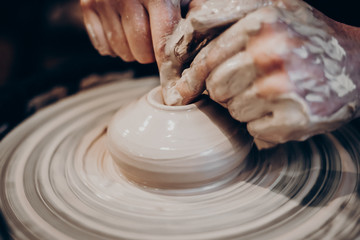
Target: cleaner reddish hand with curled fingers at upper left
<point>131,29</point>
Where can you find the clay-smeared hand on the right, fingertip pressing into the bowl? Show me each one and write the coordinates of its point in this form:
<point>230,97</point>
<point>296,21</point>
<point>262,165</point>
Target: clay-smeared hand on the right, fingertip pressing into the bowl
<point>282,67</point>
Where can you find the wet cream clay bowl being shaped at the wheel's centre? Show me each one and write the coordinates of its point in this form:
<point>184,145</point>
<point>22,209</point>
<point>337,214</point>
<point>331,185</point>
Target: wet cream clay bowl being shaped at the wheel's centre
<point>197,146</point>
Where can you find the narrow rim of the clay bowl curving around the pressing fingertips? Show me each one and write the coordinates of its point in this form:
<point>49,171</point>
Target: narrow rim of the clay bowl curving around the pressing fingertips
<point>154,97</point>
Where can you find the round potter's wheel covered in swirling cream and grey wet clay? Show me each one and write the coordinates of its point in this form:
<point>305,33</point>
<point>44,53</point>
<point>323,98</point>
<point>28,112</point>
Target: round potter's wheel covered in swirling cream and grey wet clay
<point>59,182</point>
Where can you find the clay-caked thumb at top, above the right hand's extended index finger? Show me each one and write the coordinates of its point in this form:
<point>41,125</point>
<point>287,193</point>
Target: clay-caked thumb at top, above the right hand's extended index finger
<point>204,21</point>
